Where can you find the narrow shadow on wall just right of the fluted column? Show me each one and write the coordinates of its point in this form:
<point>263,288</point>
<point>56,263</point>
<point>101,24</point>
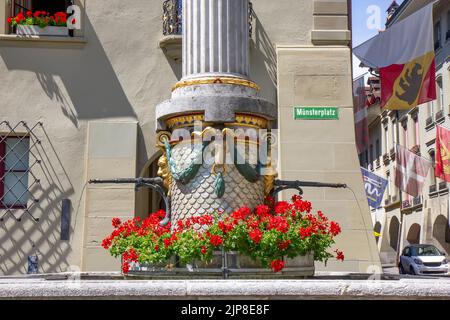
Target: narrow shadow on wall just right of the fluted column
<point>262,53</point>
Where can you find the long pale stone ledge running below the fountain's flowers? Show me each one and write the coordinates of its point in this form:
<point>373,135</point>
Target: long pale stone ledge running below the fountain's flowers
<point>225,289</point>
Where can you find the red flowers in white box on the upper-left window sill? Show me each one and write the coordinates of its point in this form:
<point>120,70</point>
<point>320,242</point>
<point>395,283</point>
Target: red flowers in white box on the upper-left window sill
<point>40,23</point>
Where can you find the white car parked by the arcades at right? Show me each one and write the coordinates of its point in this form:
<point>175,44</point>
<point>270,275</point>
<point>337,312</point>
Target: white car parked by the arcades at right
<point>422,259</point>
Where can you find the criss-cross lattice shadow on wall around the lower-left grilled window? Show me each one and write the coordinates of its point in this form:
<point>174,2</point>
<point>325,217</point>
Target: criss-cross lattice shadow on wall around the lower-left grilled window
<point>20,239</point>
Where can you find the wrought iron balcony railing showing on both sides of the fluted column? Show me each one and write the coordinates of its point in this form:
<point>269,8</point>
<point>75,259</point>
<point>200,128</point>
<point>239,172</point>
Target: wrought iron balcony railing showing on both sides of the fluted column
<point>173,17</point>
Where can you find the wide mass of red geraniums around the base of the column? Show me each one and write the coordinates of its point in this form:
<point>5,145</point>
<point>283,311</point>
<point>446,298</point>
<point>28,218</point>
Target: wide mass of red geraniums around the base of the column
<point>269,239</point>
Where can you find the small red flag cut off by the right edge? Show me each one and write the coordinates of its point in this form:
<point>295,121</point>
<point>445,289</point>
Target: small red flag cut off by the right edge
<point>442,156</point>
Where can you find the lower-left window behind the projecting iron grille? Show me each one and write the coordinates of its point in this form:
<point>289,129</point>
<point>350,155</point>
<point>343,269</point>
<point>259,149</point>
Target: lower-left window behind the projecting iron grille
<point>14,168</point>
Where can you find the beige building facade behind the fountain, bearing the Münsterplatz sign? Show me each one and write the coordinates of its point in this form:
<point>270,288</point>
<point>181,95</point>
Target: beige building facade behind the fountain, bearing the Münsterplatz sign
<point>83,107</point>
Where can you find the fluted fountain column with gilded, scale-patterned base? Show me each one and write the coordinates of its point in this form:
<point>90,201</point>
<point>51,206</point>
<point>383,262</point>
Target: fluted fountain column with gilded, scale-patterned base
<point>213,129</point>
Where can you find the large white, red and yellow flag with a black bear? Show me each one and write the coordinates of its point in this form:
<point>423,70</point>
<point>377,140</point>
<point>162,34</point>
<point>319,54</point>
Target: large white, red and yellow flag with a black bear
<point>404,55</point>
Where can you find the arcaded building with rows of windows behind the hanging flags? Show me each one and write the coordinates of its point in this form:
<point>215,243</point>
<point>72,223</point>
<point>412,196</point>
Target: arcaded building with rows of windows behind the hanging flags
<point>402,219</point>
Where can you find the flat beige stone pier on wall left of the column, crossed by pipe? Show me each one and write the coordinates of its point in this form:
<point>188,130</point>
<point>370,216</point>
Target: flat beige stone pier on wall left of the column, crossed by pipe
<point>111,149</point>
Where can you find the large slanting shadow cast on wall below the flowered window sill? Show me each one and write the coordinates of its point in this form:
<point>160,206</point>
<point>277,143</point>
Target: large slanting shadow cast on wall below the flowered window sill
<point>81,80</point>
